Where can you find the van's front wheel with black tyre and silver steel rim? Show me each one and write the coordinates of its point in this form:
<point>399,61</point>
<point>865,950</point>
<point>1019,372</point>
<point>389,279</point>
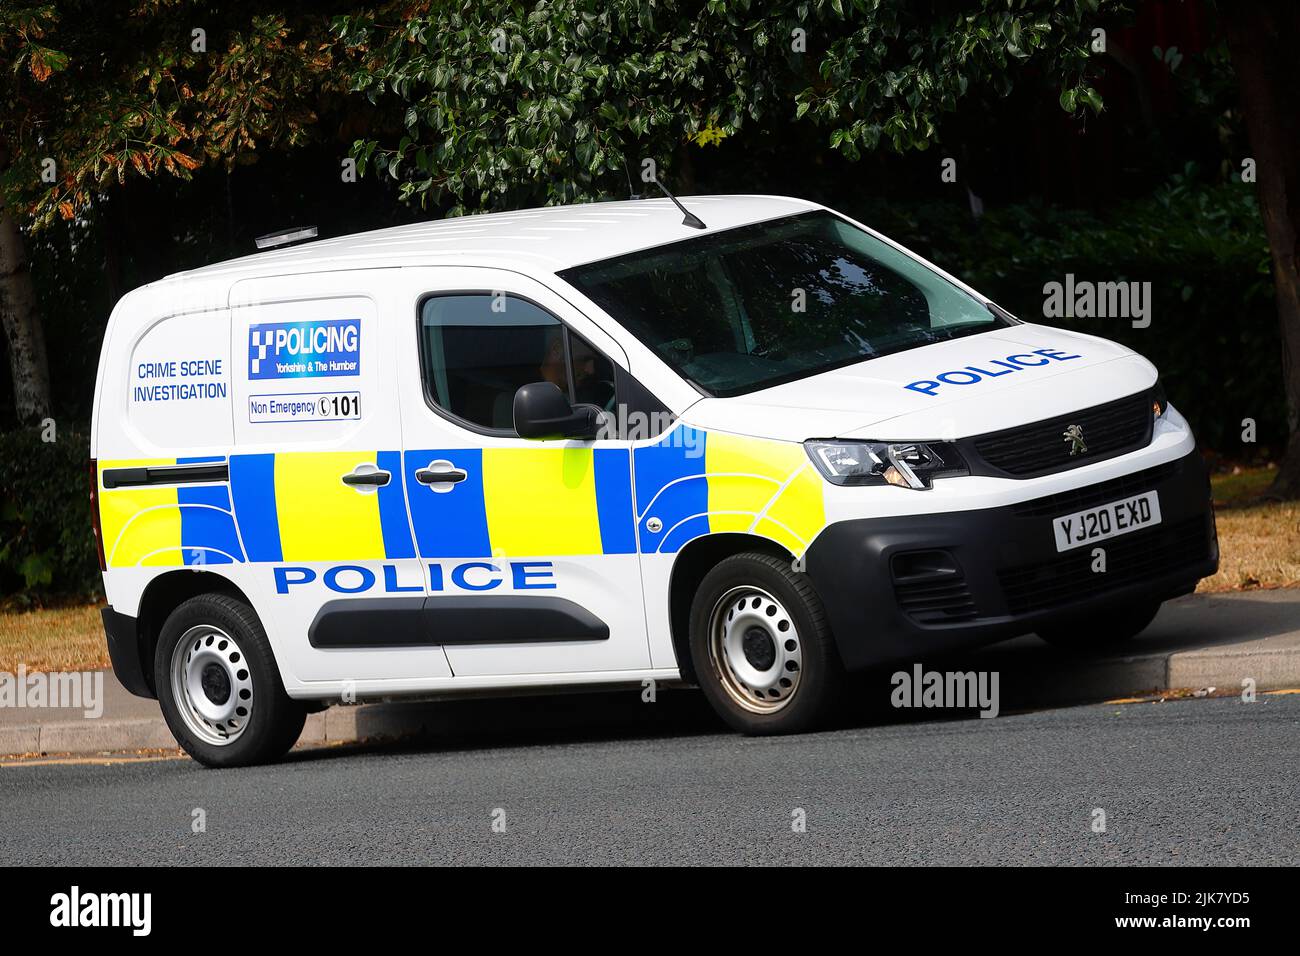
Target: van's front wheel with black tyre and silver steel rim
<point>762,648</point>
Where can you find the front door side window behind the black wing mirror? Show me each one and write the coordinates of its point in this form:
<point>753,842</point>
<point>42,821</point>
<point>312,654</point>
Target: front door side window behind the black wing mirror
<point>479,349</point>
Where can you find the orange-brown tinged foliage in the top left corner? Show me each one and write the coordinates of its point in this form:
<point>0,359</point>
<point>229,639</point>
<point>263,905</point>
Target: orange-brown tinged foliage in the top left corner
<point>110,94</point>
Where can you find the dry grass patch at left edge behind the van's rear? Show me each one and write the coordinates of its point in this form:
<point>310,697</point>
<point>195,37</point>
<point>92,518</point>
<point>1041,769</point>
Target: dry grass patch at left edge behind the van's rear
<point>53,641</point>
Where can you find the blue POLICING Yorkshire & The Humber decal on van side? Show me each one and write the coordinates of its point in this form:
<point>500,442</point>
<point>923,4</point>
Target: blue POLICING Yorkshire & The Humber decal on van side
<point>305,351</point>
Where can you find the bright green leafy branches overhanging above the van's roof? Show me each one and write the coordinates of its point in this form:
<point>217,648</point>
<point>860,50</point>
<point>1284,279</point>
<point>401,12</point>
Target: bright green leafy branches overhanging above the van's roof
<point>508,103</point>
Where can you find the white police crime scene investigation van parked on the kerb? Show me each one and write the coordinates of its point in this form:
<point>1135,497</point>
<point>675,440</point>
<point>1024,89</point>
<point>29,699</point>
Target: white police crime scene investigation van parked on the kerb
<point>755,451</point>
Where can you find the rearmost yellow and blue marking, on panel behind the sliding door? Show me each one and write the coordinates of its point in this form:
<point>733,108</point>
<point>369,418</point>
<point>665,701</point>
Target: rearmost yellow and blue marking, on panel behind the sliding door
<point>167,526</point>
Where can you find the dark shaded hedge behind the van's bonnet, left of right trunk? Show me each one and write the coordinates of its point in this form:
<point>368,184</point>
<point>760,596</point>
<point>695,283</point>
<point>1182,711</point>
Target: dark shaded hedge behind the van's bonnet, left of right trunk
<point>1214,327</point>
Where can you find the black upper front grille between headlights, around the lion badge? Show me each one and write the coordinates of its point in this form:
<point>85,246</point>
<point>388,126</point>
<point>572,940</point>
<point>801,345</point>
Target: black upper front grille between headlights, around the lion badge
<point>1042,448</point>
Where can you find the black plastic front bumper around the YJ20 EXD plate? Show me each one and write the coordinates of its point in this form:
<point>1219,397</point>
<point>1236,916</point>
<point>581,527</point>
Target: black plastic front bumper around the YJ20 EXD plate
<point>896,589</point>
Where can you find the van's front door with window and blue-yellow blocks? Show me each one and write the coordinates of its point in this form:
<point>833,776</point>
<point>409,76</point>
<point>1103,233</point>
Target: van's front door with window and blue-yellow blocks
<point>530,546</point>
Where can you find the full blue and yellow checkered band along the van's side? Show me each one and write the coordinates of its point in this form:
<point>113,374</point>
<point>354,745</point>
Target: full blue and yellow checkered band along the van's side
<point>514,503</point>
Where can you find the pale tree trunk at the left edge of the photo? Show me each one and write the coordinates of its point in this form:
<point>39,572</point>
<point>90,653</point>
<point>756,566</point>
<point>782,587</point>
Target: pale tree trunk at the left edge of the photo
<point>23,328</point>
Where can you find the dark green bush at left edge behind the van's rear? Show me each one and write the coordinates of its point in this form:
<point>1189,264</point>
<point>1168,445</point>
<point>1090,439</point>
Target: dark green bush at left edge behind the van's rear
<point>47,548</point>
